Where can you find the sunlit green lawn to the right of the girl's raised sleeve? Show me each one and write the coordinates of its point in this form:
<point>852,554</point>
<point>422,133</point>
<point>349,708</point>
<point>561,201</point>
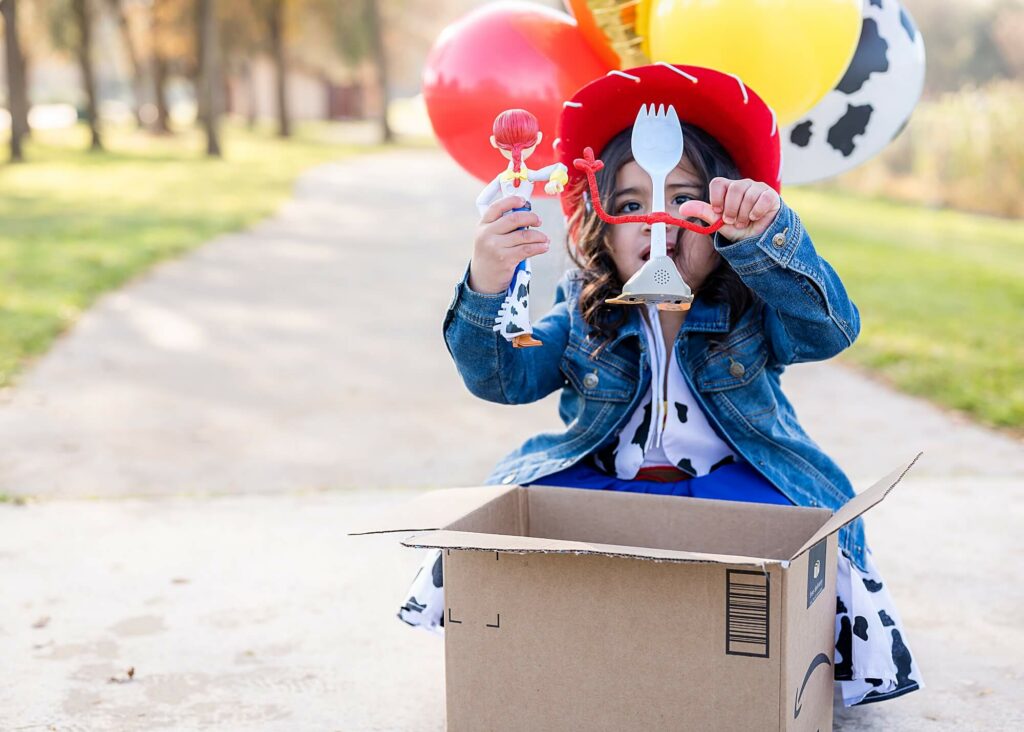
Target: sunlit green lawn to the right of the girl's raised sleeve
<point>942,298</point>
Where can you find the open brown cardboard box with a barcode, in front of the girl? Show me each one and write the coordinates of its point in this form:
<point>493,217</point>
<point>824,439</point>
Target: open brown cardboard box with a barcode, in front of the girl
<point>572,610</point>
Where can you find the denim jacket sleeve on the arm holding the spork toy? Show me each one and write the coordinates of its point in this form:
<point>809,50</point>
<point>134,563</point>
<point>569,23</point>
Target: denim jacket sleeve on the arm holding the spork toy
<point>808,316</point>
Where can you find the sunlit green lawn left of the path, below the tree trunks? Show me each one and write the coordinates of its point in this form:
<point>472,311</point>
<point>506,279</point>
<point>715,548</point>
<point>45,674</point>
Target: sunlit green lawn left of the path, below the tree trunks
<point>75,225</point>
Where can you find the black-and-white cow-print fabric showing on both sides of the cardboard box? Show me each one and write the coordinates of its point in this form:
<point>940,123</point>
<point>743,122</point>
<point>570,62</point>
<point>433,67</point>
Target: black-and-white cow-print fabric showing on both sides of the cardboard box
<point>873,660</point>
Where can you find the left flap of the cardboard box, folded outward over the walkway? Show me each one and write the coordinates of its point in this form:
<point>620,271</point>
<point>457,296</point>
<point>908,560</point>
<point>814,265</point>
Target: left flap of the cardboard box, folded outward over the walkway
<point>434,510</point>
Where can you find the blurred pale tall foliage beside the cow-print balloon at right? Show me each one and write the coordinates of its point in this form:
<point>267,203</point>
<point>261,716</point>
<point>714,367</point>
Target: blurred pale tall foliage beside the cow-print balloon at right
<point>963,148</point>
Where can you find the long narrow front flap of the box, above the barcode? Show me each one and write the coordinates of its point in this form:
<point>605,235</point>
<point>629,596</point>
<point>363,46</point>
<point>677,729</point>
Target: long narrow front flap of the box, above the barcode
<point>532,545</point>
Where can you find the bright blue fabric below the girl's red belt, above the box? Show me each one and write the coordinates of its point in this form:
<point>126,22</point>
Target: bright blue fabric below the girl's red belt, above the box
<point>737,482</point>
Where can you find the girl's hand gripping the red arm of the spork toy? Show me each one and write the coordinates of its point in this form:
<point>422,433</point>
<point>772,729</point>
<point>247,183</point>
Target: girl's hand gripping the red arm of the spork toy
<point>748,206</point>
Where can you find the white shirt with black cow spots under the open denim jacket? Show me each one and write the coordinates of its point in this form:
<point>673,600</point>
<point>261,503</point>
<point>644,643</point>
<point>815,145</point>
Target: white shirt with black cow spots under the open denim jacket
<point>669,427</point>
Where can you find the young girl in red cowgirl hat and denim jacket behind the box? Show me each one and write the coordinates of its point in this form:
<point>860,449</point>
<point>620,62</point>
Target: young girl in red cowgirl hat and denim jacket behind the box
<point>678,403</point>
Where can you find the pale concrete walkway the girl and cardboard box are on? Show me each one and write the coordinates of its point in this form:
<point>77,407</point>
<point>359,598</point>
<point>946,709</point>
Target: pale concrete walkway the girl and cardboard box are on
<point>188,443</point>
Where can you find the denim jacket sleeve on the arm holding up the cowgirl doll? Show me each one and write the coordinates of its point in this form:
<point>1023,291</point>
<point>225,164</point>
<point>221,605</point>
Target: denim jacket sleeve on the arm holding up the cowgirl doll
<point>490,366</point>
